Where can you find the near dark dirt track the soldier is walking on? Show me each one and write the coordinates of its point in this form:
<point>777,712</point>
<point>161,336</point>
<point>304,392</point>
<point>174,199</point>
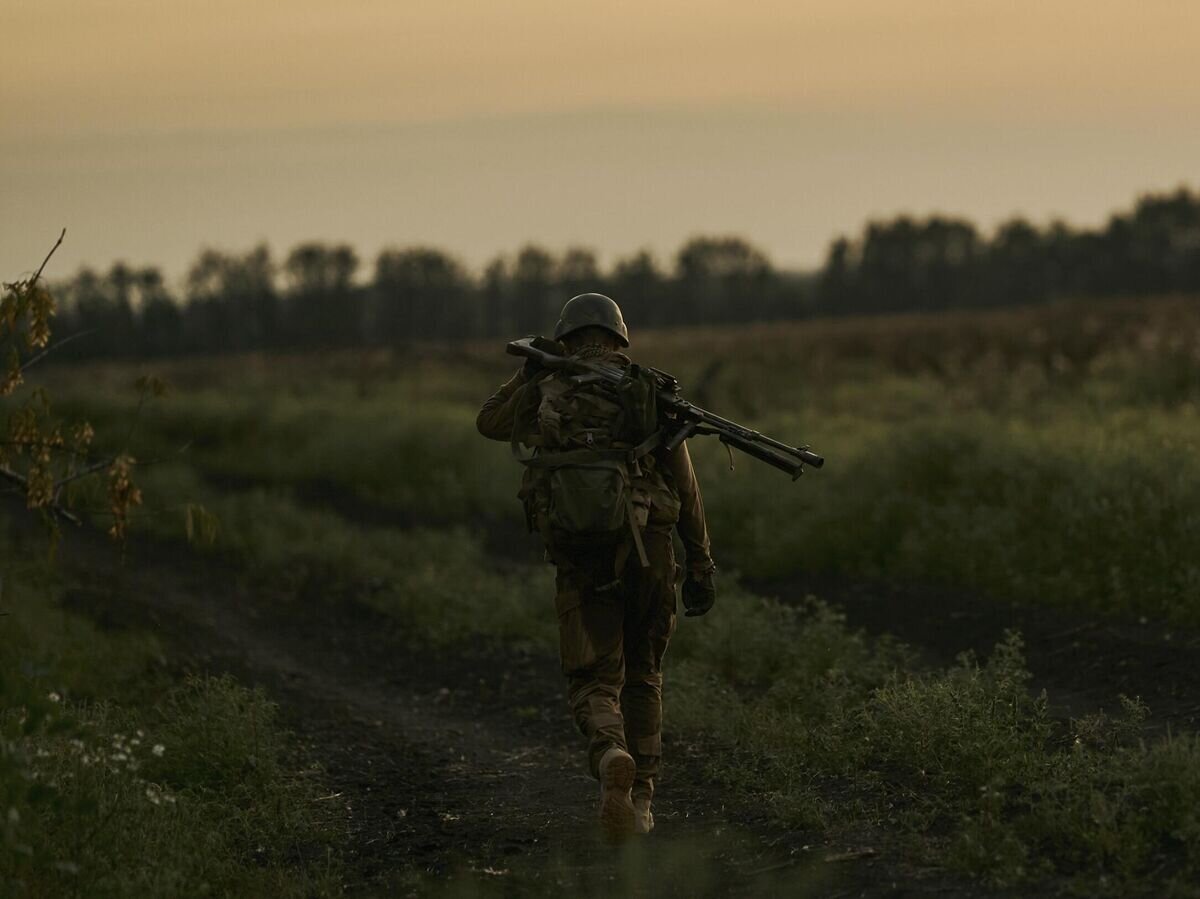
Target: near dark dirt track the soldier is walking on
<point>463,765</point>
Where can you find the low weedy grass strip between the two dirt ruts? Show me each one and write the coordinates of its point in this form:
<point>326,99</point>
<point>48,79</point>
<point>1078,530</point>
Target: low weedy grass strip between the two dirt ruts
<point>832,732</point>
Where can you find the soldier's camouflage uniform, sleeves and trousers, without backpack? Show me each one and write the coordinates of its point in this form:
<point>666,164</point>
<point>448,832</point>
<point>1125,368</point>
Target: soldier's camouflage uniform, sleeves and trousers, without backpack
<point>613,639</point>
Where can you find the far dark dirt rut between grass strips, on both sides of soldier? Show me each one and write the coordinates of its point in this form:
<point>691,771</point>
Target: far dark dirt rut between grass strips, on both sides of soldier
<point>1084,663</point>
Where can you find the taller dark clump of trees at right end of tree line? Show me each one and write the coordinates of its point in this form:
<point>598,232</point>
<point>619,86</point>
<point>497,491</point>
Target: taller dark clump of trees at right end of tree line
<point>909,265</point>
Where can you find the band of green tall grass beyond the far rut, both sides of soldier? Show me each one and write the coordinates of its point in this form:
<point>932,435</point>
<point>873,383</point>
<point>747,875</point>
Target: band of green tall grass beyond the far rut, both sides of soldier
<point>1070,502</point>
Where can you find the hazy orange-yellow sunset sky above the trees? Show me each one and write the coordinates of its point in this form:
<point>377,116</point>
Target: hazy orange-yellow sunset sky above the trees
<point>152,129</point>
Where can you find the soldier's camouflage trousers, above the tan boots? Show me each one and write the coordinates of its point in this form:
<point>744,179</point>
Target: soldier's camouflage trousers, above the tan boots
<point>613,638</point>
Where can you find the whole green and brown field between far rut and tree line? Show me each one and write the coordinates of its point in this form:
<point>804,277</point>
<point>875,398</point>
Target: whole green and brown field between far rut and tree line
<point>1018,456</point>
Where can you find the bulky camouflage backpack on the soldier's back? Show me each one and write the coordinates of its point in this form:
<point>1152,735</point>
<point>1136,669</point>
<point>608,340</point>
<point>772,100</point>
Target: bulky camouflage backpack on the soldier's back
<point>586,484</point>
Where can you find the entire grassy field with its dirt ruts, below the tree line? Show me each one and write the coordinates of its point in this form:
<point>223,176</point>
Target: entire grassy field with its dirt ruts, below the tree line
<point>1031,470</point>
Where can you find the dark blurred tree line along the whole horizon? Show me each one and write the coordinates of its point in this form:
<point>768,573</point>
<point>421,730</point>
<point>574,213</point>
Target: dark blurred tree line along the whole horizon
<point>320,297</point>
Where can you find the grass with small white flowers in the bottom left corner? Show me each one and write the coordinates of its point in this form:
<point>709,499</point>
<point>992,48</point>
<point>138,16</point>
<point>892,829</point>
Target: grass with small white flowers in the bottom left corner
<point>119,777</point>
